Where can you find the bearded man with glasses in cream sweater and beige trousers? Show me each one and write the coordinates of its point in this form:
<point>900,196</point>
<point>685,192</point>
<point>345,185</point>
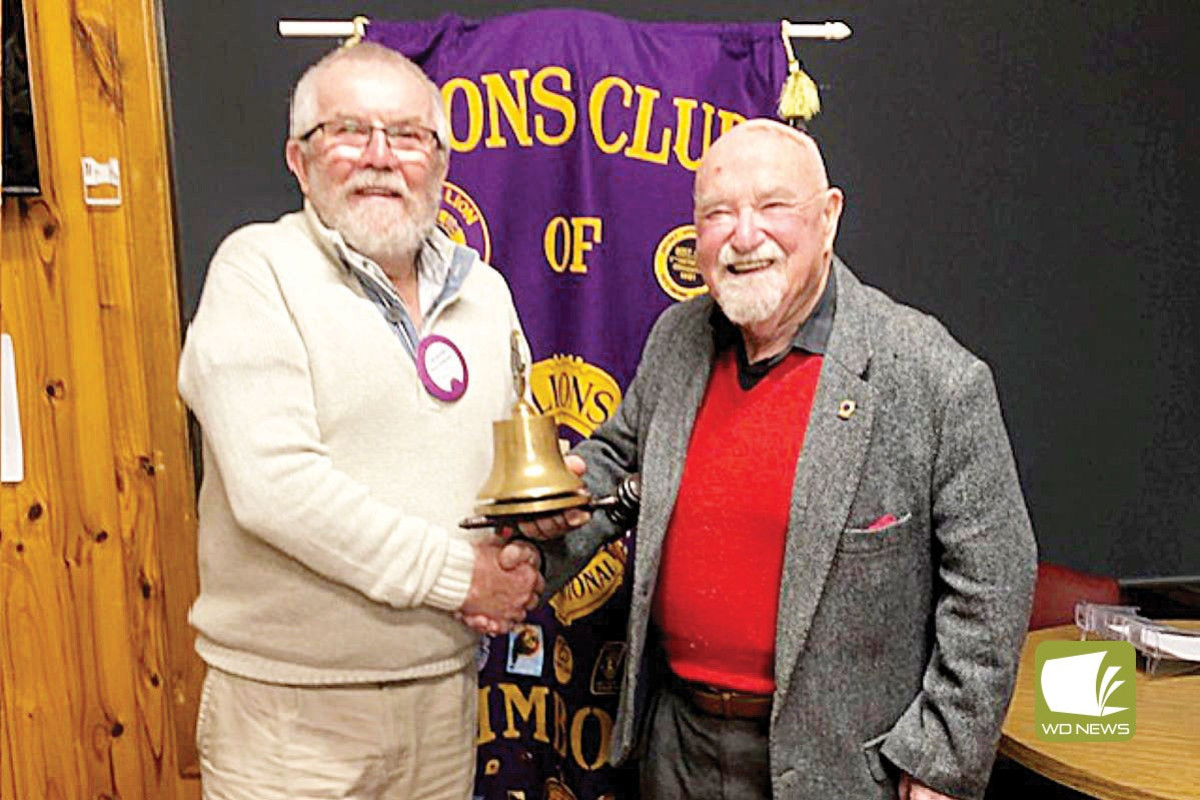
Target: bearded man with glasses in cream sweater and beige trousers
<point>346,364</point>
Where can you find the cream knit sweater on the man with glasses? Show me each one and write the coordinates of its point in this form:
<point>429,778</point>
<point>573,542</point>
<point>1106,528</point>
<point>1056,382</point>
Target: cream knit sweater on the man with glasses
<point>329,549</point>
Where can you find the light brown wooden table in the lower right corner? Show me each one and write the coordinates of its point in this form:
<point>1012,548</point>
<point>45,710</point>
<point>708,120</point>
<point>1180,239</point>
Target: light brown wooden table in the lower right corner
<point>1162,762</point>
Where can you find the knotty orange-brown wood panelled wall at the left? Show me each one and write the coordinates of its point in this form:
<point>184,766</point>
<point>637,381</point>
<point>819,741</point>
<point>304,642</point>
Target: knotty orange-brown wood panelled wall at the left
<point>98,678</point>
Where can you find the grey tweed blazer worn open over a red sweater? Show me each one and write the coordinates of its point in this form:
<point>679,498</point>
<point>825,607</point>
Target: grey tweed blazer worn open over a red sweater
<point>896,649</point>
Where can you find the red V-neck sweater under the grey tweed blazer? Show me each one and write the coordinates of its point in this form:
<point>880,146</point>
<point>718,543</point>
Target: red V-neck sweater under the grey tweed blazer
<point>718,591</point>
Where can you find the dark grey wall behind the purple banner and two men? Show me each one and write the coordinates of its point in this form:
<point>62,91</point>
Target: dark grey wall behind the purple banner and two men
<point>1027,172</point>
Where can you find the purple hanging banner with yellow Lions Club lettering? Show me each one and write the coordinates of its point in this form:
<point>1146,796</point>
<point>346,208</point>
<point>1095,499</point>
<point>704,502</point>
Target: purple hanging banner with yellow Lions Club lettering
<point>575,139</point>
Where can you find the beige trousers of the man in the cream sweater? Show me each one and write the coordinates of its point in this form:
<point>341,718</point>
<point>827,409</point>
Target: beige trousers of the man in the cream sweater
<point>370,742</point>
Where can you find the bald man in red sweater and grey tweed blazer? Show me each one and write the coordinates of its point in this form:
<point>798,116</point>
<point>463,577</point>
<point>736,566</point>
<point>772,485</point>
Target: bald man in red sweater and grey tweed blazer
<point>835,562</point>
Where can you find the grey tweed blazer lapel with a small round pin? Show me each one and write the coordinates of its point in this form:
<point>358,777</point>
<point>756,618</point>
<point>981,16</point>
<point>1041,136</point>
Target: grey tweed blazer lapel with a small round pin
<point>827,478</point>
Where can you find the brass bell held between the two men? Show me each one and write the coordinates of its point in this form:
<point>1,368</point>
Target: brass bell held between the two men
<point>529,474</point>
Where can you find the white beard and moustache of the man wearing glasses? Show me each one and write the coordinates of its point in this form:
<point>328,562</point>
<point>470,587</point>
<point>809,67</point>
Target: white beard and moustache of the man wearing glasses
<point>382,230</point>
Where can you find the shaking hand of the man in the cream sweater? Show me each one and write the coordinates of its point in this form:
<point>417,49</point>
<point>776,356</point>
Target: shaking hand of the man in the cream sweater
<point>505,586</point>
